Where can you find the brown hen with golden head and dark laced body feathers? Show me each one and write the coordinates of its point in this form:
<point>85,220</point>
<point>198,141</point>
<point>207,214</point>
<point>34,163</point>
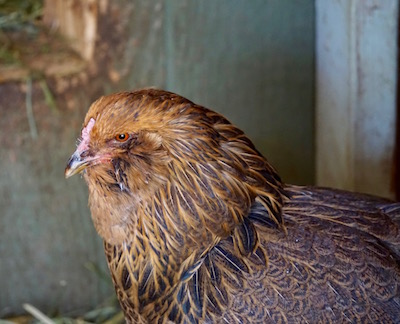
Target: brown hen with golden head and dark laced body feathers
<point>198,227</point>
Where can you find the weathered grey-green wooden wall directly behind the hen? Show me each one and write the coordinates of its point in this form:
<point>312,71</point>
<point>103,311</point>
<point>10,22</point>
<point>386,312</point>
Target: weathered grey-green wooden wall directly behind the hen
<point>251,60</point>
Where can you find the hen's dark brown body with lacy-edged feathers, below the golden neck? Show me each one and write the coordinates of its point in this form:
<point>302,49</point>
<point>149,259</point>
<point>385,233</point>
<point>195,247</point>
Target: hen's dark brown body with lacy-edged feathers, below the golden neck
<point>337,262</point>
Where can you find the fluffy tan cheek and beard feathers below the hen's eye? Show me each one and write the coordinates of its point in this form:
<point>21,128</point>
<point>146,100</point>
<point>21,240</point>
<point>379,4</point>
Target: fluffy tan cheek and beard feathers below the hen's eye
<point>117,199</point>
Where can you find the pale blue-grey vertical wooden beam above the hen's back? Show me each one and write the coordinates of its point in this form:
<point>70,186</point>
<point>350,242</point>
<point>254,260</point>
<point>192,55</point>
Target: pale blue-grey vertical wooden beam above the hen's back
<point>356,94</point>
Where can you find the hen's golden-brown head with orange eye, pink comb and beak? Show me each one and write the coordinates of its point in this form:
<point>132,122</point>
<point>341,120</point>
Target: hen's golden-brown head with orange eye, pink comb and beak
<point>128,135</point>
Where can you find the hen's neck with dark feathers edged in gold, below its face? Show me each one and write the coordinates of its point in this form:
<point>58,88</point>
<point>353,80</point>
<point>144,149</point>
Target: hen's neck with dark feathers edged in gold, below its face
<point>156,240</point>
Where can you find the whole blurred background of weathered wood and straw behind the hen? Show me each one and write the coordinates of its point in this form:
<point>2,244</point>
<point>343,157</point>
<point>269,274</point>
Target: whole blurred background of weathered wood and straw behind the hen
<point>312,82</point>
